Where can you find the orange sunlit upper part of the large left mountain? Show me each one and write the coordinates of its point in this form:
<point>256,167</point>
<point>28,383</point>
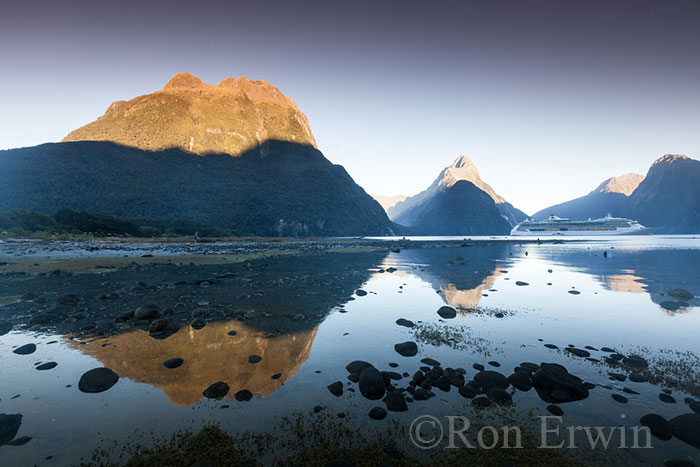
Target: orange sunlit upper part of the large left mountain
<point>229,117</point>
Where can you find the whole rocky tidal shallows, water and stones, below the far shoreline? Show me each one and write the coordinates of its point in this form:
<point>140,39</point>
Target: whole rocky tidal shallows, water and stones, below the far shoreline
<point>247,350</point>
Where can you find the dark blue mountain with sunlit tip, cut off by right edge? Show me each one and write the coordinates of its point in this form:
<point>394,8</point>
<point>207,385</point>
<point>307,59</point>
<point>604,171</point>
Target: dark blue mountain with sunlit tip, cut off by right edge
<point>669,196</point>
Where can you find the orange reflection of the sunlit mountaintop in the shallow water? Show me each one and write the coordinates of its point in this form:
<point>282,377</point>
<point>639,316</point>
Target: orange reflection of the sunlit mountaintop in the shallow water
<point>209,354</point>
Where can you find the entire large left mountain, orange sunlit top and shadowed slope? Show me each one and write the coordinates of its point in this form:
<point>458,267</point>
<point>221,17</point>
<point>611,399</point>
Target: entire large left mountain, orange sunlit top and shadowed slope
<point>239,155</point>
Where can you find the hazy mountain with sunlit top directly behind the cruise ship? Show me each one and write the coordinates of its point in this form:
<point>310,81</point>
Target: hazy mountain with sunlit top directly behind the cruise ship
<point>610,197</point>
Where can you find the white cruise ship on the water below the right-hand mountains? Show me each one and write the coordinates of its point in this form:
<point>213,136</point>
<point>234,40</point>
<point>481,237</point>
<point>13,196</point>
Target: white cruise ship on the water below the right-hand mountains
<point>560,226</point>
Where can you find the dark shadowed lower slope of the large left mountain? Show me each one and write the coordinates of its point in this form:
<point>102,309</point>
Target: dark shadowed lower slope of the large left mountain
<point>291,190</point>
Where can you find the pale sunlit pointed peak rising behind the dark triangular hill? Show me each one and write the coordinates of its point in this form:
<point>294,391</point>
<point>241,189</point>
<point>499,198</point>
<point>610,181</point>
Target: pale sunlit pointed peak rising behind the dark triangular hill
<point>462,169</point>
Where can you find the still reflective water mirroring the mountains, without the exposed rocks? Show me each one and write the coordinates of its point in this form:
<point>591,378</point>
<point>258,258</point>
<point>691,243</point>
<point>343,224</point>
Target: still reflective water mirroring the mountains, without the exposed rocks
<point>511,300</point>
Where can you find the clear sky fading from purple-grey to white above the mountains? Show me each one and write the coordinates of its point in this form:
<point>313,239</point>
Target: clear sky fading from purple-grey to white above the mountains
<point>548,98</point>
